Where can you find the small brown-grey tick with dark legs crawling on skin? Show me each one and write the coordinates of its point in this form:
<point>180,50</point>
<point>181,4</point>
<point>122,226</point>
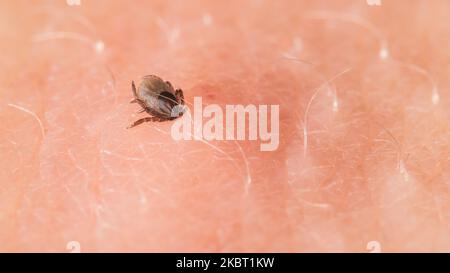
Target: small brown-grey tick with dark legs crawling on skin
<point>158,98</point>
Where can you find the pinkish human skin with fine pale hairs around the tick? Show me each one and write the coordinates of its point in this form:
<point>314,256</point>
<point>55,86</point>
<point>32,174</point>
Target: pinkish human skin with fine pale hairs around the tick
<point>363,158</point>
